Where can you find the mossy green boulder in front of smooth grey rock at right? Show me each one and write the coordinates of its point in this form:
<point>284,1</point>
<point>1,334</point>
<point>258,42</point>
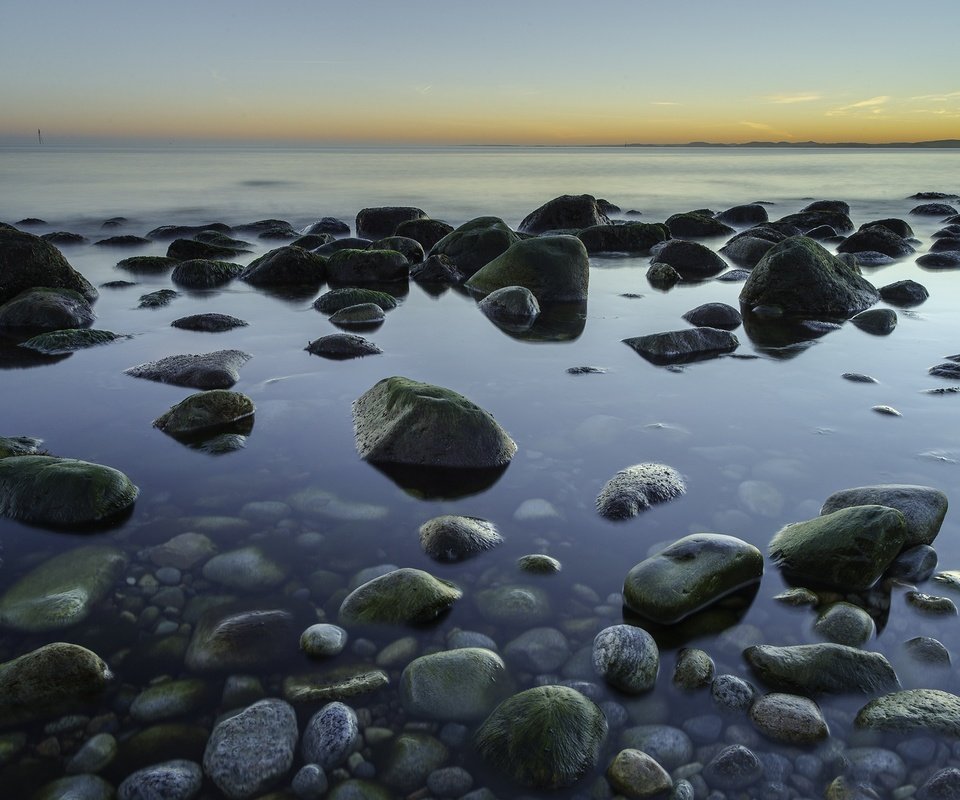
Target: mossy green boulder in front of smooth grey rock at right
<point>848,549</point>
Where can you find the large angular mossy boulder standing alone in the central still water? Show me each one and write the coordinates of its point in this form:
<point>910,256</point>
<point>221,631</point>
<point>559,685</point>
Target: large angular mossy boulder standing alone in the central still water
<point>402,421</point>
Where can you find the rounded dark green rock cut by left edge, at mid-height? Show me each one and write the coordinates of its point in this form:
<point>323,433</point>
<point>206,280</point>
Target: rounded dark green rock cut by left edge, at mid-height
<point>62,492</point>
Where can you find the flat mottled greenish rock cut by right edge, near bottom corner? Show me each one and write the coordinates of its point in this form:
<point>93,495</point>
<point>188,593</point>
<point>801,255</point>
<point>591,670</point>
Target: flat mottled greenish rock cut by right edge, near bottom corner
<point>923,710</point>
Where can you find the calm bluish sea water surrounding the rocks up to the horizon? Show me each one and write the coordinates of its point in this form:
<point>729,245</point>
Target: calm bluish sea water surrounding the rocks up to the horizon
<point>785,420</point>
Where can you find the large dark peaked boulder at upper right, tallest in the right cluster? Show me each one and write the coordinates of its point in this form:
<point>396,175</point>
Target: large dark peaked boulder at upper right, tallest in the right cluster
<point>801,278</point>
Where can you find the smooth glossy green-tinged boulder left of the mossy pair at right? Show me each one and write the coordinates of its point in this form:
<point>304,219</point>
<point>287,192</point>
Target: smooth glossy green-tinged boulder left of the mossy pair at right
<point>689,575</point>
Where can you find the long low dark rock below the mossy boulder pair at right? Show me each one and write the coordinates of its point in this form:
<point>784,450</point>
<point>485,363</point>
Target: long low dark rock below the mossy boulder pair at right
<point>821,669</point>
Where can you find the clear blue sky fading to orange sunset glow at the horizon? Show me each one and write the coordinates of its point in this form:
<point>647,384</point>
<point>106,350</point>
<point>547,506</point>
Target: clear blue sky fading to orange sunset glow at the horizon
<point>489,72</point>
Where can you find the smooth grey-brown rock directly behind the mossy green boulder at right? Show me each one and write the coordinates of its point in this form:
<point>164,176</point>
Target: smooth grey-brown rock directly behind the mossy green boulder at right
<point>923,507</point>
